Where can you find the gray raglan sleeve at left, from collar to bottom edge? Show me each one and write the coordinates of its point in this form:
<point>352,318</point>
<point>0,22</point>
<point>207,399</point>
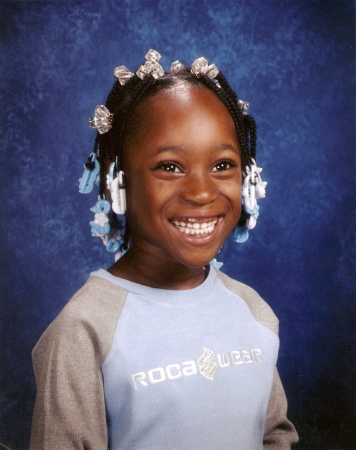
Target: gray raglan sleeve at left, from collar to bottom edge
<point>70,408</point>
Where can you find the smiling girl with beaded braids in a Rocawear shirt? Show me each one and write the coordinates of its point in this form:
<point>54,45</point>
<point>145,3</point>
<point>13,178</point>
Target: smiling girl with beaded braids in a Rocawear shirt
<point>163,351</point>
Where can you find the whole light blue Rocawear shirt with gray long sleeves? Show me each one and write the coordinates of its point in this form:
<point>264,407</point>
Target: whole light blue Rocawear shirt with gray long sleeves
<point>126,366</point>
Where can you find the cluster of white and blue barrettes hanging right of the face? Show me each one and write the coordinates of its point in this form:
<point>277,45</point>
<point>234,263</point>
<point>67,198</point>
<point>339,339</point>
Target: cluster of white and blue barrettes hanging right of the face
<point>253,188</point>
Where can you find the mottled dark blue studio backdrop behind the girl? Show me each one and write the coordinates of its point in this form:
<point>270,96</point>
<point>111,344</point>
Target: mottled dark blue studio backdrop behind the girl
<point>294,62</point>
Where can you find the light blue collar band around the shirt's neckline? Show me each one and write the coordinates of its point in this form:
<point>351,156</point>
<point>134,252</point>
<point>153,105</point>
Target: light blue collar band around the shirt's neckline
<point>164,295</point>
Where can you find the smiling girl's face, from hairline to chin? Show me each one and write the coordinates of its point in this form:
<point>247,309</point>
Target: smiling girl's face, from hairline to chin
<point>183,176</point>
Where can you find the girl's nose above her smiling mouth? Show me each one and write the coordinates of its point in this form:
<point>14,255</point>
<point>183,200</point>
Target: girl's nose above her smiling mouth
<point>199,188</point>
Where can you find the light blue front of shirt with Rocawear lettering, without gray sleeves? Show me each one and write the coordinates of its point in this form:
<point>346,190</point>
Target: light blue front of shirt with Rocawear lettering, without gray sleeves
<point>187,369</point>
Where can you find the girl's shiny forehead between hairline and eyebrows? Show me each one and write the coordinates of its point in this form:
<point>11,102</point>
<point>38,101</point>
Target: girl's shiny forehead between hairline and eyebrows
<point>183,115</point>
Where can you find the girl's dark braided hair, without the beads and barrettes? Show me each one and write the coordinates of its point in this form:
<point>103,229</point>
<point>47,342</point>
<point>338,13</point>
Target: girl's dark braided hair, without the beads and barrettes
<point>123,102</point>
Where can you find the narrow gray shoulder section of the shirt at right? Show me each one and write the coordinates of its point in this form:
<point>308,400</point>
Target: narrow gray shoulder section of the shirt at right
<point>260,310</point>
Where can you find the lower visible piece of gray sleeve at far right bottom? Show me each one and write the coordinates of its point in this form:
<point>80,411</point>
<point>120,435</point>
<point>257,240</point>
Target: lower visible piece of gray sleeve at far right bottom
<point>279,433</point>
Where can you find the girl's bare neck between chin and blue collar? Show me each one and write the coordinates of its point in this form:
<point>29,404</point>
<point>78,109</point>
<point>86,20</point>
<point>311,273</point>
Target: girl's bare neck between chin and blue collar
<point>147,269</point>
